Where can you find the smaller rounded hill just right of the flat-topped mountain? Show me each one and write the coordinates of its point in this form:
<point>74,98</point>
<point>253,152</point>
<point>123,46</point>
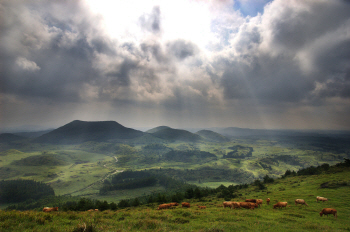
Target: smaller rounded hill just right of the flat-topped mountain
<point>171,134</point>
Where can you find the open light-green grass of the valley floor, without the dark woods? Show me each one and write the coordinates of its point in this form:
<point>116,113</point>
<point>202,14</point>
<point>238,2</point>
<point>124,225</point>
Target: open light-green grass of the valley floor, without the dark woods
<point>90,163</point>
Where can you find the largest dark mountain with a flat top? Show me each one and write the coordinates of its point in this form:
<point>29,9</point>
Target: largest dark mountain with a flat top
<point>80,131</point>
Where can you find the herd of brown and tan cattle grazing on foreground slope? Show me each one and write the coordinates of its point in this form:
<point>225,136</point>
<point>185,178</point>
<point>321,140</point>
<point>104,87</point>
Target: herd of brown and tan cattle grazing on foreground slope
<point>248,204</point>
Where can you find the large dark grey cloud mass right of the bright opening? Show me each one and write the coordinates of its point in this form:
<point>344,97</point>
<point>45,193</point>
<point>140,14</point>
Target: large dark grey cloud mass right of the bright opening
<point>268,65</point>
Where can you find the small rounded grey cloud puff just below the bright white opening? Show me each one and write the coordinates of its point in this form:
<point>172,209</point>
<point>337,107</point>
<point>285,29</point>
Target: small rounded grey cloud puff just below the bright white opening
<point>182,49</point>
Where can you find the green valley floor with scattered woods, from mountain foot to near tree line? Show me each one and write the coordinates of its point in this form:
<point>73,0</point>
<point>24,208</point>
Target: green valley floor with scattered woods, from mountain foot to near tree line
<point>79,170</point>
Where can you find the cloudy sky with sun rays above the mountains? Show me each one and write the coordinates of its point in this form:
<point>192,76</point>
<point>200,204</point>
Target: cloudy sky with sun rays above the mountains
<point>281,64</point>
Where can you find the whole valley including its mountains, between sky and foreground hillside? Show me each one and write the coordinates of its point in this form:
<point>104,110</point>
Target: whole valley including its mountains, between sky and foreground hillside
<point>97,151</point>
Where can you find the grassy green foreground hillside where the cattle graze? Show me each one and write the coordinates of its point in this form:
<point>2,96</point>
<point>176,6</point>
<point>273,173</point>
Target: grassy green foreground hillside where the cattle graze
<point>214,217</point>
